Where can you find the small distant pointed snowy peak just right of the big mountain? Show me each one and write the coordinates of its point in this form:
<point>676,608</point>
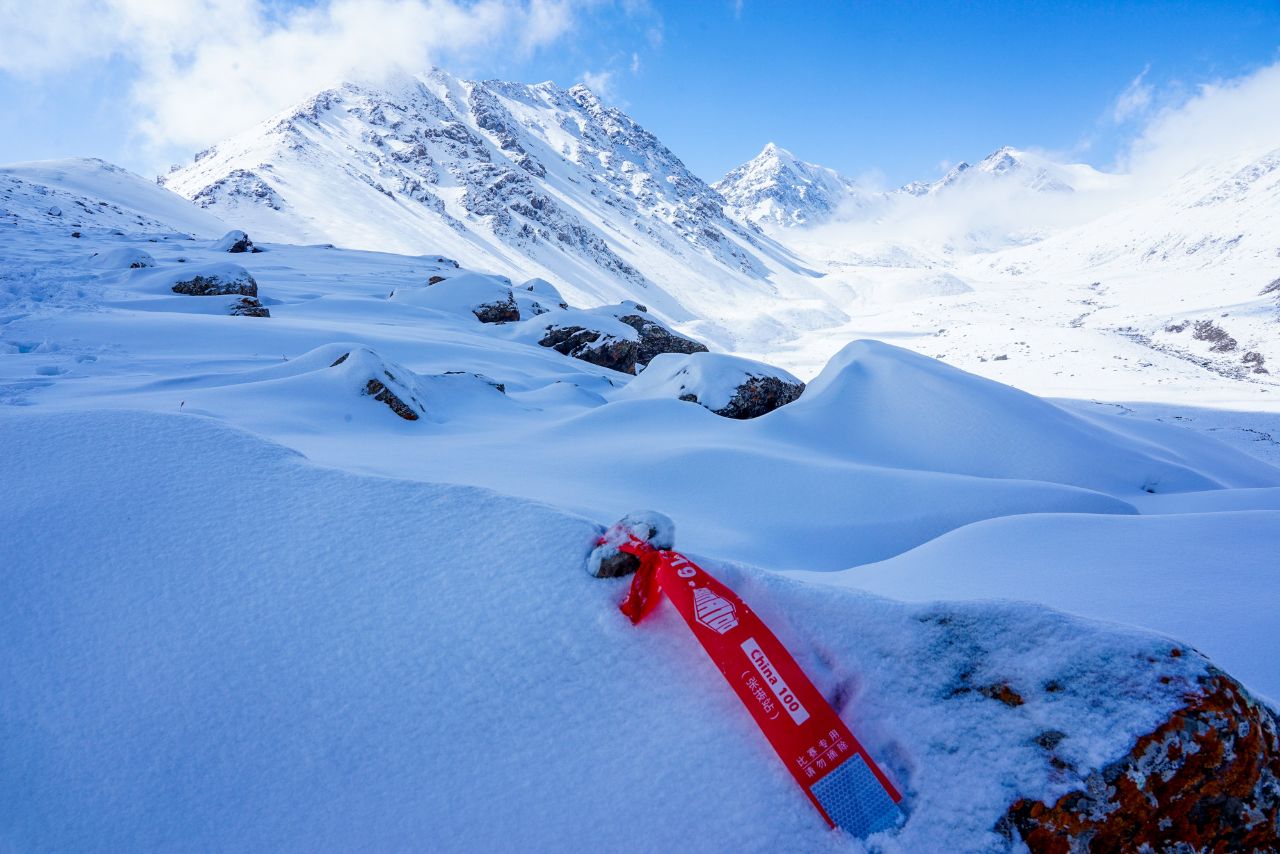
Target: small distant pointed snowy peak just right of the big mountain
<point>776,189</point>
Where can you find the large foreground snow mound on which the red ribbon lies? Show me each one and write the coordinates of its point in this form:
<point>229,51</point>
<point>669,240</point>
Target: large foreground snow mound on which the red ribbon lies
<point>301,638</point>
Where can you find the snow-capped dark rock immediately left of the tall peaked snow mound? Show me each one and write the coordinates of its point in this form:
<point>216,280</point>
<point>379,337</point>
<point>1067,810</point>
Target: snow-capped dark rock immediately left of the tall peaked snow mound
<point>728,386</point>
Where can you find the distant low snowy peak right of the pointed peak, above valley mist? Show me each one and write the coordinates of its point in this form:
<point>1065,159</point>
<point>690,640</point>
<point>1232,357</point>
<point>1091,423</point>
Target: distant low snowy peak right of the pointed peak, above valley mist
<point>1009,167</point>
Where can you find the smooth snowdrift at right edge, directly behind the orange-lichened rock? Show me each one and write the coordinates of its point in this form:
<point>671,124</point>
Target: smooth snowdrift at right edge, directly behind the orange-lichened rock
<point>1209,579</point>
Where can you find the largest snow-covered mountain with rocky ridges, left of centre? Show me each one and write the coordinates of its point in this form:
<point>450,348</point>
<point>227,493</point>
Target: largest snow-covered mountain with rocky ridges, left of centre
<point>523,180</point>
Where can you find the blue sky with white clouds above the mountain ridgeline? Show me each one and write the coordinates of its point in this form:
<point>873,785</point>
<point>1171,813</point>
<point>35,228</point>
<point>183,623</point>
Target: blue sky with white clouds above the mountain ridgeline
<point>899,89</point>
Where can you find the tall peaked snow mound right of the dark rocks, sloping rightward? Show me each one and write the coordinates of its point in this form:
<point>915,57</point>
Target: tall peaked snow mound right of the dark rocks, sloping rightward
<point>895,408</point>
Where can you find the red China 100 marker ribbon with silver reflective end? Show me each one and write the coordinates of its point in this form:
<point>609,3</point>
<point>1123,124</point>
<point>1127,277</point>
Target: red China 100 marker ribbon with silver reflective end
<point>829,764</point>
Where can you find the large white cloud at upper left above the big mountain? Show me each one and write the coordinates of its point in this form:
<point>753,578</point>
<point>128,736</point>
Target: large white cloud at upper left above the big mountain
<point>211,68</point>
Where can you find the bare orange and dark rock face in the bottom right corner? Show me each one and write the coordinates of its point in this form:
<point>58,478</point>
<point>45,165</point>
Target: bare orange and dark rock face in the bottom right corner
<point>1208,780</point>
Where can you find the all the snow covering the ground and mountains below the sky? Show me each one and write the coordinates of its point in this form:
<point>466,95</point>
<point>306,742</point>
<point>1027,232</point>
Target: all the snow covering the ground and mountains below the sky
<point>249,605</point>
